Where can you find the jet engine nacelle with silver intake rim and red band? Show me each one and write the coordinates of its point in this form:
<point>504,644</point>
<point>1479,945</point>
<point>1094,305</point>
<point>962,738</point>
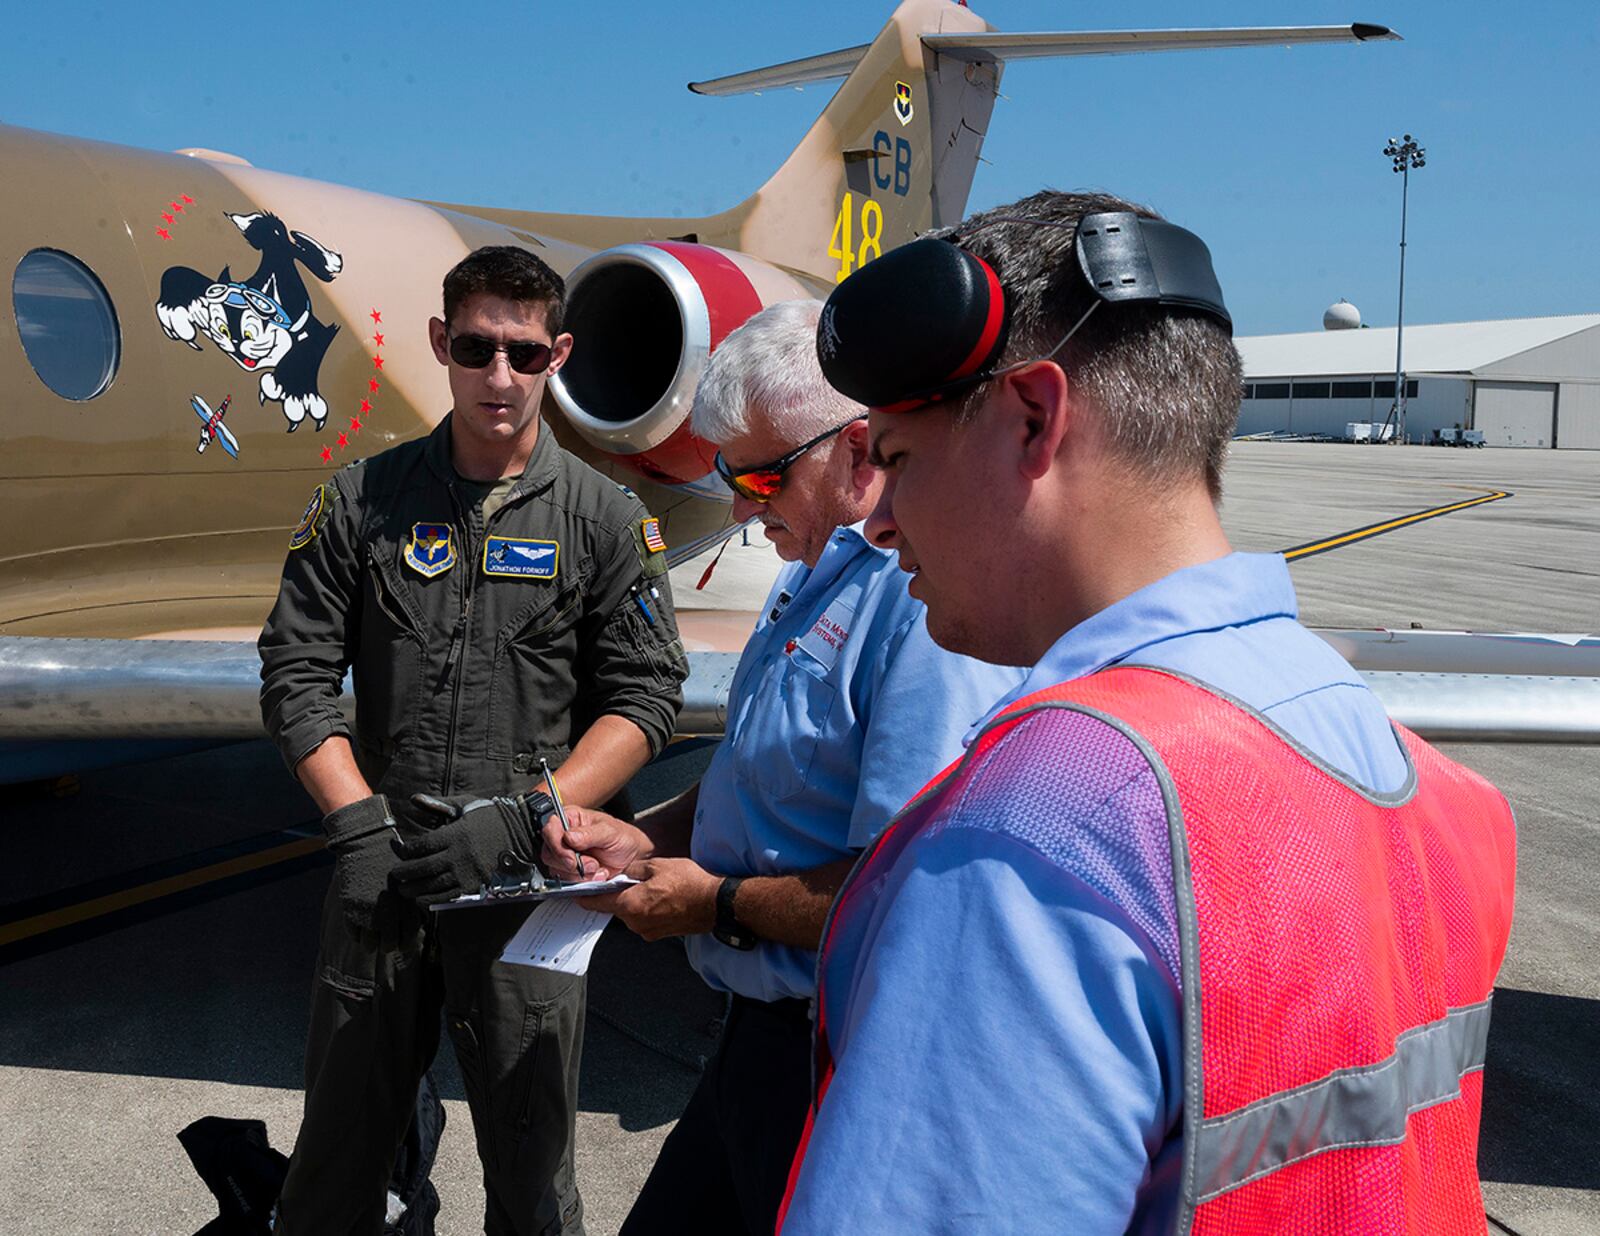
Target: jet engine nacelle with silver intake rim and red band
<point>646,319</point>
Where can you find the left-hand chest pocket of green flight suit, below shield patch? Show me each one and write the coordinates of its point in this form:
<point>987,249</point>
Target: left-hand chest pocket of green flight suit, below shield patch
<point>390,659</point>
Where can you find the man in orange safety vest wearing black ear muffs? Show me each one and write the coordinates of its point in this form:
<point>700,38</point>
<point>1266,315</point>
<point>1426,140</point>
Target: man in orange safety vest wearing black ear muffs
<point>1193,939</point>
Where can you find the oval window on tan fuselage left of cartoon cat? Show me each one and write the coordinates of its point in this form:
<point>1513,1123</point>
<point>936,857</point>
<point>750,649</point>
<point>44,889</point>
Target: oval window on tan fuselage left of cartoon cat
<point>68,324</point>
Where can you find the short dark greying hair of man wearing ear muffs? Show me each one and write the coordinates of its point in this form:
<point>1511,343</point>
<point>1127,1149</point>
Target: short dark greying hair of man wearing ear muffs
<point>1166,382</point>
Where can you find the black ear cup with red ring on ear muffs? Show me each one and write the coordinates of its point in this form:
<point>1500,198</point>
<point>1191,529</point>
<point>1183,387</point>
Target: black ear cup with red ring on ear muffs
<point>906,326</point>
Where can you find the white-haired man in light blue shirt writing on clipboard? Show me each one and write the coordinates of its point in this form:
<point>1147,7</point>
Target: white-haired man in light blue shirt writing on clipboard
<point>842,710</point>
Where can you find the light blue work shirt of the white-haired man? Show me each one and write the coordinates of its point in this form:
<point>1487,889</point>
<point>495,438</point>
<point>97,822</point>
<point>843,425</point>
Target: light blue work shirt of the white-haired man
<point>841,710</point>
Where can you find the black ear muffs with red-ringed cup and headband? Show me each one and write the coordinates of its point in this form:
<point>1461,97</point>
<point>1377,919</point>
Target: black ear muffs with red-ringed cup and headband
<point>929,319</point>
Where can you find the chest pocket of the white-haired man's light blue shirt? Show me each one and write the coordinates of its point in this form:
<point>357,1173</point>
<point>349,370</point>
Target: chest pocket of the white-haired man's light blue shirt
<point>788,718</point>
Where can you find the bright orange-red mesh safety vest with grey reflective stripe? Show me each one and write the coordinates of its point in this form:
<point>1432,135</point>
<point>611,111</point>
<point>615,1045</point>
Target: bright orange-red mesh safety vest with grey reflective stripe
<point>1338,958</point>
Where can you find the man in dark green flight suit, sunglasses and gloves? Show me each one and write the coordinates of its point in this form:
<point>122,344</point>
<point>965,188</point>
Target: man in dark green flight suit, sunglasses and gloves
<point>500,604</point>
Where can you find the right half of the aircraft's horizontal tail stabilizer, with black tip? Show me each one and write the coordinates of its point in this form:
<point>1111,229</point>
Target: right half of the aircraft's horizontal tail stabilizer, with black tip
<point>1022,47</point>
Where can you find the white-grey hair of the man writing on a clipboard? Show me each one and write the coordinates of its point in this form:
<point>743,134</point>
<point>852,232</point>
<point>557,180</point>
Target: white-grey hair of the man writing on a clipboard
<point>767,369</point>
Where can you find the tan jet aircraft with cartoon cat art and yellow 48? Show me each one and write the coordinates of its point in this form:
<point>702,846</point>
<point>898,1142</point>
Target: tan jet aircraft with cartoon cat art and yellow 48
<point>287,315</point>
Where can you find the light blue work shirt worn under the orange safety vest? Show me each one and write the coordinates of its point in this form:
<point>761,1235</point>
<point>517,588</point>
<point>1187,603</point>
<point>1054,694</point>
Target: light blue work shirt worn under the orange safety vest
<point>1006,1022</point>
